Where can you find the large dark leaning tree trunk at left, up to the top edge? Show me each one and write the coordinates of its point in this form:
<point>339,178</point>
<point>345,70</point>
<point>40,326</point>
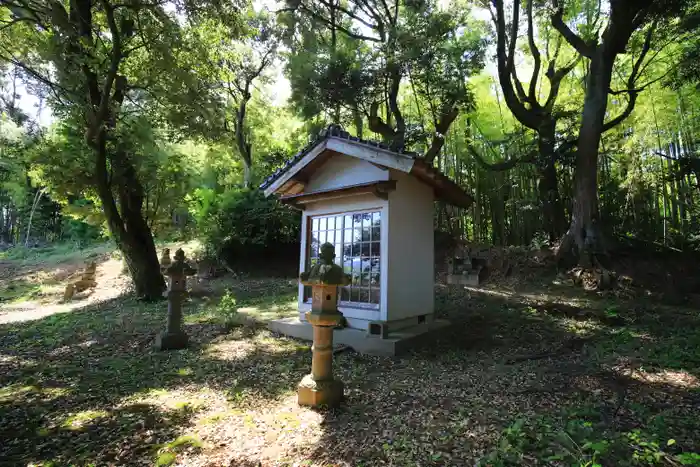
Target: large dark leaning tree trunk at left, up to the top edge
<point>105,95</point>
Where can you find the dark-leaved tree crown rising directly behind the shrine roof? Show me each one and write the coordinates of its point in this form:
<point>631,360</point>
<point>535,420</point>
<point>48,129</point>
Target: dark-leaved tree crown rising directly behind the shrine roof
<point>340,74</point>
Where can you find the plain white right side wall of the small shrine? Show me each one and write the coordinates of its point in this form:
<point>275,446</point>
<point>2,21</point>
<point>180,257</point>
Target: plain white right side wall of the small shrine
<point>410,281</point>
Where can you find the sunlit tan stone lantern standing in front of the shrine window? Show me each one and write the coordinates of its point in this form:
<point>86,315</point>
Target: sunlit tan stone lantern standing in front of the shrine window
<point>319,388</point>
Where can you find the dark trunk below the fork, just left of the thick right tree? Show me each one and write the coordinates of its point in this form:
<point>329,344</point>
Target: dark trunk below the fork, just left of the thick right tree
<point>548,185</point>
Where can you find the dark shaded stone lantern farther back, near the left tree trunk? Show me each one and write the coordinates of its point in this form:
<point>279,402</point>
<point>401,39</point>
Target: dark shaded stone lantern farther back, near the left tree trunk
<point>174,336</point>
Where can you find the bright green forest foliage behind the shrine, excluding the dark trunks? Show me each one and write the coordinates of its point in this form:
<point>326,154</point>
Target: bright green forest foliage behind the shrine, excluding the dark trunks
<point>187,72</point>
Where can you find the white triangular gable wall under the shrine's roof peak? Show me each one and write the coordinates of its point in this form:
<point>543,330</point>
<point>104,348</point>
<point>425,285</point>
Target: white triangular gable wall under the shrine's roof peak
<point>341,170</point>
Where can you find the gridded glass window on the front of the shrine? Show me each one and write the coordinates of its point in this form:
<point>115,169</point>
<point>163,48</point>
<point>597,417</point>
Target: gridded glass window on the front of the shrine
<point>356,240</point>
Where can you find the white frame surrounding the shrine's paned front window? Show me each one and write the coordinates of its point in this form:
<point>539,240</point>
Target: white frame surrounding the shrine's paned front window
<point>357,317</point>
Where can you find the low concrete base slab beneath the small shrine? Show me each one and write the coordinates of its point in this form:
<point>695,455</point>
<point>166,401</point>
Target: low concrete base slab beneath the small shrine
<point>396,342</point>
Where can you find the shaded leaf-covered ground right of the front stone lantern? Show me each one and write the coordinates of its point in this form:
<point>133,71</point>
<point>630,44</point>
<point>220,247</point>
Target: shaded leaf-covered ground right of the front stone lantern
<point>587,380</point>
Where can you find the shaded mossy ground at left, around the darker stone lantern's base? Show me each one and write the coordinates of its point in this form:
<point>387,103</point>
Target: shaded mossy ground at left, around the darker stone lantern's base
<point>66,381</point>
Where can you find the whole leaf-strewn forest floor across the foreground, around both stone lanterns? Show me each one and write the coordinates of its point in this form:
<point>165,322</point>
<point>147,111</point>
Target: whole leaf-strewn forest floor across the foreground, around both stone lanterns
<point>71,385</point>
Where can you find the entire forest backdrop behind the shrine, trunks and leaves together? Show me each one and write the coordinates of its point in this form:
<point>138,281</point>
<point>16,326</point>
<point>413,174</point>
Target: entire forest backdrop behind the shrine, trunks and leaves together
<point>572,123</point>
